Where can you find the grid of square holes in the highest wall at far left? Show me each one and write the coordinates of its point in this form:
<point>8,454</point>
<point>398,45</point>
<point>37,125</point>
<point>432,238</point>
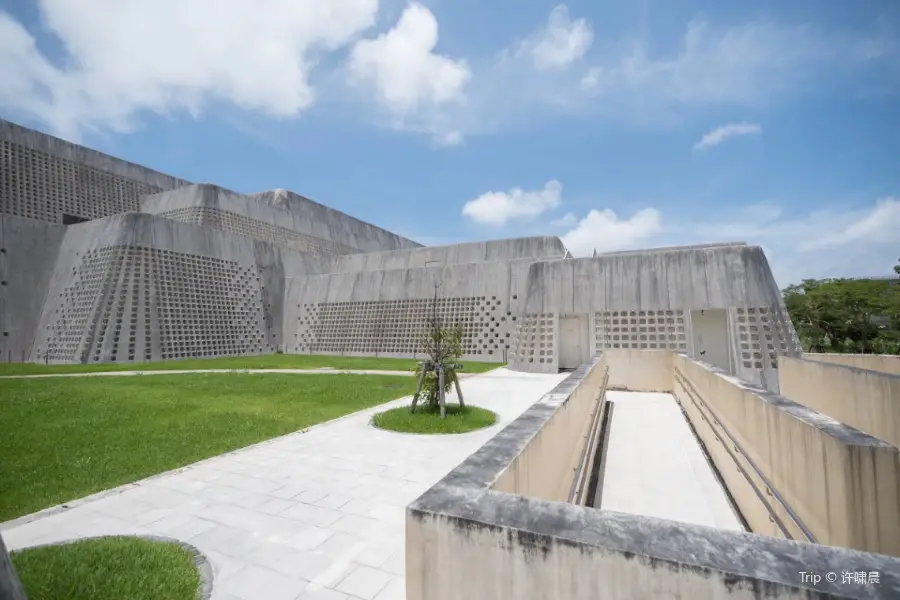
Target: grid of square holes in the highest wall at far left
<point>40,186</point>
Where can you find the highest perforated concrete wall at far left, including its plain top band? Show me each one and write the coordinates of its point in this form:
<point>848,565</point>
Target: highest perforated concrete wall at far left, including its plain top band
<point>44,178</point>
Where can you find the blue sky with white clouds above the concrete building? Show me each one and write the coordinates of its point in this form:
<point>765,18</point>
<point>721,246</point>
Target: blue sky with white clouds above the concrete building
<point>615,124</point>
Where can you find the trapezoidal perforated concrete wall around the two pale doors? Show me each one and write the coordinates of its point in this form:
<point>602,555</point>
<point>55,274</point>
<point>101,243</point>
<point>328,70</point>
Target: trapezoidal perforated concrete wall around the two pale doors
<point>643,301</point>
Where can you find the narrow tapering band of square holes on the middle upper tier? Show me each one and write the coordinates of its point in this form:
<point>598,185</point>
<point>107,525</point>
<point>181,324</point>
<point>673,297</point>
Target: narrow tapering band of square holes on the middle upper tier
<point>230,222</point>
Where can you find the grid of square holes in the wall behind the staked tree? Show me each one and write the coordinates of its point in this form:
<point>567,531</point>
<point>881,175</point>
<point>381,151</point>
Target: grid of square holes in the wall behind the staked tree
<point>397,326</point>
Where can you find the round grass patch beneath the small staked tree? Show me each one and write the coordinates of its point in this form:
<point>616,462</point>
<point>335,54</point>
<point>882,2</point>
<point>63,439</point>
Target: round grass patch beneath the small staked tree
<point>428,419</point>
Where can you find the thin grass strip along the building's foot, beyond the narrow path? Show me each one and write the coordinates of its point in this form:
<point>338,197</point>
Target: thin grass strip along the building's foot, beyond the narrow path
<point>268,361</point>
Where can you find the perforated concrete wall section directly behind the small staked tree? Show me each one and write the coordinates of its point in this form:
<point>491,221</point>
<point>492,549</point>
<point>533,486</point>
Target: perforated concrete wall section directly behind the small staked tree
<point>386,312</point>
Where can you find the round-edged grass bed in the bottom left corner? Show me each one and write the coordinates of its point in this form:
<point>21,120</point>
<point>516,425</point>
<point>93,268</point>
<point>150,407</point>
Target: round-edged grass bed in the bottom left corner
<point>112,568</point>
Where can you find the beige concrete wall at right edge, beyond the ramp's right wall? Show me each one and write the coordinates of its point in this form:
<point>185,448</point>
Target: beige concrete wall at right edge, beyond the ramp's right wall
<point>866,400</point>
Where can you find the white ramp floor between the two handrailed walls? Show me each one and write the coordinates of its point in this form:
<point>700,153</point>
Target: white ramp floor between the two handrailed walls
<point>655,466</point>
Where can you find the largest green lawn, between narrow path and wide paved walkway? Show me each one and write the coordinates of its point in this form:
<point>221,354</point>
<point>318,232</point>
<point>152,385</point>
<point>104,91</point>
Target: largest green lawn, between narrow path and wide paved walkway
<point>63,439</point>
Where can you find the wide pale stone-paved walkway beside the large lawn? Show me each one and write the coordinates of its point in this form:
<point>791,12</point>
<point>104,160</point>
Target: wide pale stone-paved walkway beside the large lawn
<point>316,515</point>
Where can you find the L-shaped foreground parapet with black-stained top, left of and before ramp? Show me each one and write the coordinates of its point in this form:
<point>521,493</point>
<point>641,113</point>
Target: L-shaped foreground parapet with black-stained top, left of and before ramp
<point>466,540</point>
